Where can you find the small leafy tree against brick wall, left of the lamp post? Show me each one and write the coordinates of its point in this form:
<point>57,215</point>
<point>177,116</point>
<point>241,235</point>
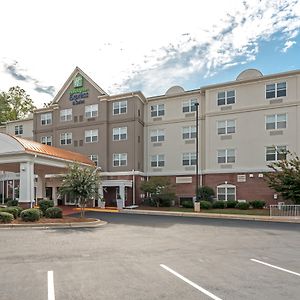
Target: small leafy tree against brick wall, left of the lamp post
<point>160,190</point>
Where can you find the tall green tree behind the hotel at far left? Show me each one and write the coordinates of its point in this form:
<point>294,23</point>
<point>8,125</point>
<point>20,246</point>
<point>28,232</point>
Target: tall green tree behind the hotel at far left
<point>16,104</point>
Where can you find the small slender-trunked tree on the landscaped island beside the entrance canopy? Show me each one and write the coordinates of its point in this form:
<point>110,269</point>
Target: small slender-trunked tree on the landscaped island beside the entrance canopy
<point>82,183</point>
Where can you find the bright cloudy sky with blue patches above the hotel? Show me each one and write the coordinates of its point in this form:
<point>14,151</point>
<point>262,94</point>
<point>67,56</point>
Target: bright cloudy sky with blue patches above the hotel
<point>130,45</point>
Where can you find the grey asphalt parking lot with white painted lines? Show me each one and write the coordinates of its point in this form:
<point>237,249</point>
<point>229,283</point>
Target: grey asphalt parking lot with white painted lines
<point>152,257</point>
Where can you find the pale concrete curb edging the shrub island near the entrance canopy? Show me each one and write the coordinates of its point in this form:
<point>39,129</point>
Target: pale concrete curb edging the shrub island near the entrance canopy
<point>93,224</point>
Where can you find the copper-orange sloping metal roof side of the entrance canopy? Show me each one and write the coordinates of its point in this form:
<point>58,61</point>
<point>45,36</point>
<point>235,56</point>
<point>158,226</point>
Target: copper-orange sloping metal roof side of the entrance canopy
<point>35,147</point>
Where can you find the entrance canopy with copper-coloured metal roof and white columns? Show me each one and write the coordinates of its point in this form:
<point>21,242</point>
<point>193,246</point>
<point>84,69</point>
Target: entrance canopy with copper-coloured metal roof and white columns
<point>30,161</point>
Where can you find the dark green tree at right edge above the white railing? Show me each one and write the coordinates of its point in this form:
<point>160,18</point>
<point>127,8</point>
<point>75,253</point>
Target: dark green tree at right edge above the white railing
<point>285,177</point>
